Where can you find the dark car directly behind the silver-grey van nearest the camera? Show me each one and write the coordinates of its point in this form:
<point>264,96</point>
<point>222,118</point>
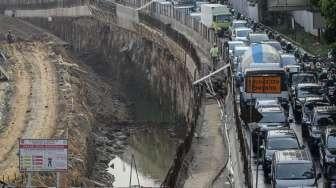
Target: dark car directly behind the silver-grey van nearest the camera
<point>277,140</point>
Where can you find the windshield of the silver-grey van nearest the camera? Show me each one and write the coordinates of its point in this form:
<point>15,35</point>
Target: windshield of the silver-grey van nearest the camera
<point>294,171</point>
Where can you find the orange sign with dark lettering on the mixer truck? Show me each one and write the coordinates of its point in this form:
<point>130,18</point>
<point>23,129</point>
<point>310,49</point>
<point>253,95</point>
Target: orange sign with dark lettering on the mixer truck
<point>263,84</point>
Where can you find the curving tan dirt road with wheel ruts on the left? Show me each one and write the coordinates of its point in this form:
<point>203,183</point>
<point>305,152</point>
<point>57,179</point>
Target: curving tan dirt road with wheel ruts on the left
<point>33,109</point>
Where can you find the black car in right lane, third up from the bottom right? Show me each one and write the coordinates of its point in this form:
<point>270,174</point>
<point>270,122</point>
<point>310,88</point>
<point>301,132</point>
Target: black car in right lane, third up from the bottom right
<point>308,111</point>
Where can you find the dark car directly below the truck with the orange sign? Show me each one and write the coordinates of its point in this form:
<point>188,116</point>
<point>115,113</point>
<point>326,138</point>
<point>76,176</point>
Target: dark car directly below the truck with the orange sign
<point>272,118</point>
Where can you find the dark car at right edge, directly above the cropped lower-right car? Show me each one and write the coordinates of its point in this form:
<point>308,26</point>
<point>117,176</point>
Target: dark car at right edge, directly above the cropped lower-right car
<point>323,117</point>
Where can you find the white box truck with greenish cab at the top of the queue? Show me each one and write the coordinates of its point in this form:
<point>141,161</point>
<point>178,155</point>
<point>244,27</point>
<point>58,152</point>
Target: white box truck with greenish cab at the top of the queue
<point>216,16</point>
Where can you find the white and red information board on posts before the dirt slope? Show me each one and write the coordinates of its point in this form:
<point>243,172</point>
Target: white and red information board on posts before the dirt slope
<point>38,155</point>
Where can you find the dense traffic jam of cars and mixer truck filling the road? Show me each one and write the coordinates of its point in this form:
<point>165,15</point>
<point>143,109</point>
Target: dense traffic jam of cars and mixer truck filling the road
<point>287,104</point>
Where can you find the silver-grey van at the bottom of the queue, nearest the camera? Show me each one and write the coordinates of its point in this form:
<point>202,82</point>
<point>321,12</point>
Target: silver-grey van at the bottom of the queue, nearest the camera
<point>293,168</point>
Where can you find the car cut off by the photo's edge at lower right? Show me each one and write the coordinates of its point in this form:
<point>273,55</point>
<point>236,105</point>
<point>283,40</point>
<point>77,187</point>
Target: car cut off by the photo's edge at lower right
<point>327,151</point>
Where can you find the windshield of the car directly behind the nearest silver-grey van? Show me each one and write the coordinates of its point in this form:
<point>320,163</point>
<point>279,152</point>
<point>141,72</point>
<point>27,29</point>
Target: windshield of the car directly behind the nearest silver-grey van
<point>282,143</point>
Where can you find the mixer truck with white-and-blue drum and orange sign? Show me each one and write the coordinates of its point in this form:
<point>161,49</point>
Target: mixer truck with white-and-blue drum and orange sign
<point>263,76</point>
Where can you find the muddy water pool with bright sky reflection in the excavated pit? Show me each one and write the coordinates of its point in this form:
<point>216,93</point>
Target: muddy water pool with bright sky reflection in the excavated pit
<point>153,149</point>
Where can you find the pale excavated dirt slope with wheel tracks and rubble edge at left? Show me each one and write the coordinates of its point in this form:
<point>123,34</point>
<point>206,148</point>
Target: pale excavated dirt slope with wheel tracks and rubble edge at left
<point>46,99</point>
